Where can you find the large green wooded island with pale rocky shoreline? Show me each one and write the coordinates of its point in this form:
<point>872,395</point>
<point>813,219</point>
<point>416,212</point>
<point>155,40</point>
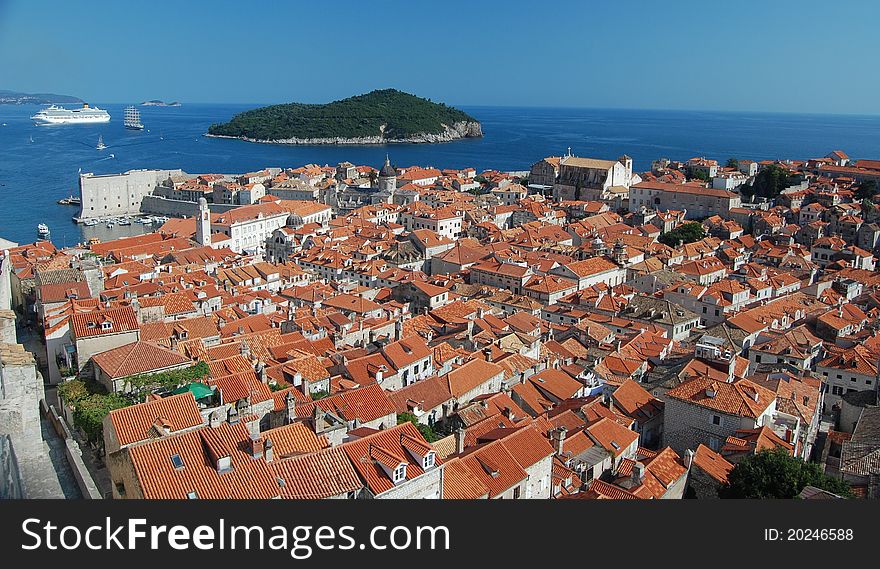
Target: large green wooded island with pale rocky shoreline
<point>379,117</point>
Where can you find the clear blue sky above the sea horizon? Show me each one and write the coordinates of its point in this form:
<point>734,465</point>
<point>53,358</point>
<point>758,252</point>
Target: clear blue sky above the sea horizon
<point>772,55</point>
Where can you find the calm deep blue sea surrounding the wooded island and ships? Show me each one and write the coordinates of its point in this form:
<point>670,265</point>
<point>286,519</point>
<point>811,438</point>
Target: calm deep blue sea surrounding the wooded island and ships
<point>34,175</point>
